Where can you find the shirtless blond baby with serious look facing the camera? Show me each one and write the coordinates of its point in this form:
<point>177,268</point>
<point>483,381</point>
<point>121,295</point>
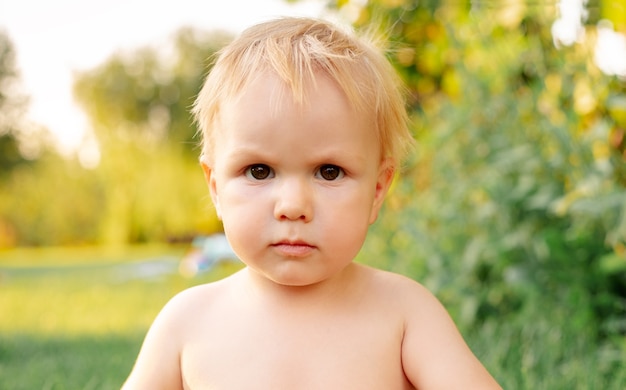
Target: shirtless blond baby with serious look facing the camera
<point>303,128</point>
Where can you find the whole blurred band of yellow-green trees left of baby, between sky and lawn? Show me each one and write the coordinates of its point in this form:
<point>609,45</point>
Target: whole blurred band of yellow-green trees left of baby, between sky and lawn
<point>146,184</point>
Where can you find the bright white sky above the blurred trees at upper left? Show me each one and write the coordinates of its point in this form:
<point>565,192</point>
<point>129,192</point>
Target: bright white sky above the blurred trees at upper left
<point>53,39</point>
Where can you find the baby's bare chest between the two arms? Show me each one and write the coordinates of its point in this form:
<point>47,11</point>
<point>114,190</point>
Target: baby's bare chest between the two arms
<point>274,353</point>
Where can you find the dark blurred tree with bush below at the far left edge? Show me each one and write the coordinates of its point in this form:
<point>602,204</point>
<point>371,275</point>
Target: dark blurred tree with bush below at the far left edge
<point>32,211</point>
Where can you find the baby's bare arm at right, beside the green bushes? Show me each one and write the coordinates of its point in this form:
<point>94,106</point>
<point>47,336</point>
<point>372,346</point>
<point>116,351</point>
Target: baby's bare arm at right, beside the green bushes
<point>434,354</point>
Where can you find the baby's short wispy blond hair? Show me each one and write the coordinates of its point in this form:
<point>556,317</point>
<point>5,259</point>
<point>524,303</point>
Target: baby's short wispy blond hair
<point>295,49</point>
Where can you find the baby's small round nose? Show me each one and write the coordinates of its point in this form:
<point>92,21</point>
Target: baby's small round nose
<point>293,201</point>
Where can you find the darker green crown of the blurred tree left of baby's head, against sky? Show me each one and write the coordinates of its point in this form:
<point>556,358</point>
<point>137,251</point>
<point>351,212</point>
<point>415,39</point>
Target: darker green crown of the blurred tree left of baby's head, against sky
<point>142,98</point>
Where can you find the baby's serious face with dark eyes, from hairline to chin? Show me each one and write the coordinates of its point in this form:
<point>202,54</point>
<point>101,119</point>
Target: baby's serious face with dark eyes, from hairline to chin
<point>296,186</point>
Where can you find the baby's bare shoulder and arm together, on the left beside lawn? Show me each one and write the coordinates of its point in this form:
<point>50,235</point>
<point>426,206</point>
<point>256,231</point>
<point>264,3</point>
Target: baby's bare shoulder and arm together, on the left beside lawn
<point>158,363</point>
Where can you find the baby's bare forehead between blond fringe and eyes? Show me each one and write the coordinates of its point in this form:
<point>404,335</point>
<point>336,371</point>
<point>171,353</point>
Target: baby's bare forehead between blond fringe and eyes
<point>266,116</point>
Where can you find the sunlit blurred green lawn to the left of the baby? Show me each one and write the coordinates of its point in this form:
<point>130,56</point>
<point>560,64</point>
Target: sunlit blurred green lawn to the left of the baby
<point>75,319</point>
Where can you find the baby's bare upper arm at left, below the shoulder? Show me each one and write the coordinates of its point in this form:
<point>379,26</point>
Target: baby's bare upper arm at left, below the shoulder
<point>158,363</point>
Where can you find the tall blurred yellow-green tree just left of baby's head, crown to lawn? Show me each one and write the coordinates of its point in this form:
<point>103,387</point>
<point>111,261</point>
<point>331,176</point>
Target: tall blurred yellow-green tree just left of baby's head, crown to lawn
<point>139,104</point>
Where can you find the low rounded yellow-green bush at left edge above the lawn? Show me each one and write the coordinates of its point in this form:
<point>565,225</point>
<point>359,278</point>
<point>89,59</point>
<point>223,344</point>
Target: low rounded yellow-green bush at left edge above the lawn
<point>48,201</point>
